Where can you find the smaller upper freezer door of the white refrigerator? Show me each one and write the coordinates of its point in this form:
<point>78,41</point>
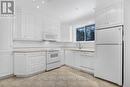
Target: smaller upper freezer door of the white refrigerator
<point>109,36</point>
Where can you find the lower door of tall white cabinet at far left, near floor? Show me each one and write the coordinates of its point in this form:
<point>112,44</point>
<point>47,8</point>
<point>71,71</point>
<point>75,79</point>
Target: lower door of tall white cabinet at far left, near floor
<point>6,64</point>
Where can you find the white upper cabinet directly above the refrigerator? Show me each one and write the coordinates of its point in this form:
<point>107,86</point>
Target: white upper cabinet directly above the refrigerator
<point>109,13</point>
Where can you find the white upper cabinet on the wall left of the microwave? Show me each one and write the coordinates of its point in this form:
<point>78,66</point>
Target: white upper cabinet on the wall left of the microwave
<point>31,29</point>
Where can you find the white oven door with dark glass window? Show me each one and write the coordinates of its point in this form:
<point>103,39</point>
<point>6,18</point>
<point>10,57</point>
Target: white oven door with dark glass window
<point>53,57</point>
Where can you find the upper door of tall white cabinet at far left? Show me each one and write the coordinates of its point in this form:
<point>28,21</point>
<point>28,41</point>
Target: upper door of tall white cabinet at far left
<point>6,27</point>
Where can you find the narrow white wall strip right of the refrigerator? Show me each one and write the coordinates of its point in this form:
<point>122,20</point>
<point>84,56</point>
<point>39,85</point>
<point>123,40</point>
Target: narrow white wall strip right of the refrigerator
<point>127,43</point>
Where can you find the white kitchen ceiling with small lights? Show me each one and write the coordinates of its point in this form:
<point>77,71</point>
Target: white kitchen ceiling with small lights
<point>63,10</point>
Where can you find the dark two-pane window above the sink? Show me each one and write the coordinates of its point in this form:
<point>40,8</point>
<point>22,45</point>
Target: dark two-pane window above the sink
<point>86,33</point>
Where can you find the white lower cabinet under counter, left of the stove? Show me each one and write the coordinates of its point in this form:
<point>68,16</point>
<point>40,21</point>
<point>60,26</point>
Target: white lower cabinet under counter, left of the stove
<point>29,63</point>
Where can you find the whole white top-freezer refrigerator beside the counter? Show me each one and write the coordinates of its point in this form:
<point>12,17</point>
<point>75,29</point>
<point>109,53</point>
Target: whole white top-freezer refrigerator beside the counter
<point>109,54</point>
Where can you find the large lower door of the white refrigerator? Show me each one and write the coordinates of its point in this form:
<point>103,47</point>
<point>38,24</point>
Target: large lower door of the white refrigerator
<point>108,64</point>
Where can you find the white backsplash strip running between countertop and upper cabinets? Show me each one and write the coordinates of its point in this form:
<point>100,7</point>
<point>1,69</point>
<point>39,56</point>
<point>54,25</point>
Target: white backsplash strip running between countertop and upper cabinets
<point>33,44</point>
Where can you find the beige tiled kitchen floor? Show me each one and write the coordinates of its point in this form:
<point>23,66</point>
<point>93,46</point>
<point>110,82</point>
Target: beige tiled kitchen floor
<point>62,77</point>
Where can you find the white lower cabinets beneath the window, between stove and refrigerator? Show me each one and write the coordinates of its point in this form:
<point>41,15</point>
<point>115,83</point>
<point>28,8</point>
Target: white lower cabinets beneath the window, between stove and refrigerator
<point>80,60</point>
